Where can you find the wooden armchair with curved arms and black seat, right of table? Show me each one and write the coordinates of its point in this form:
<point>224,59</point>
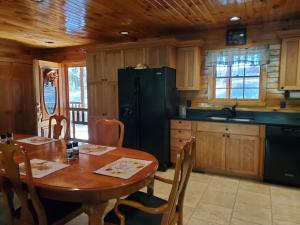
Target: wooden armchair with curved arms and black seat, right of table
<point>146,209</point>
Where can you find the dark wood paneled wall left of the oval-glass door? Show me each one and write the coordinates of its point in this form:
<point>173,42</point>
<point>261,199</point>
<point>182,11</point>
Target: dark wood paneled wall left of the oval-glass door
<point>17,109</point>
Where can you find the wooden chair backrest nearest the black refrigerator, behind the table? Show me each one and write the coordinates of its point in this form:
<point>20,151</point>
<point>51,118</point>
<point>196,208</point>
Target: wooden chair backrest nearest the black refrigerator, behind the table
<point>109,132</point>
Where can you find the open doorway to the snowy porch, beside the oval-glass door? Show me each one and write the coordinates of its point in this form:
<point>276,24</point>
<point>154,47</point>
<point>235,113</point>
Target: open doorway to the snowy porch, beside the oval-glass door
<point>78,102</point>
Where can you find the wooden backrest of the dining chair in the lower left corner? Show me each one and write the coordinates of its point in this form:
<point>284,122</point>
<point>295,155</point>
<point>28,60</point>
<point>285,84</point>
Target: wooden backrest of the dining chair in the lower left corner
<point>11,184</point>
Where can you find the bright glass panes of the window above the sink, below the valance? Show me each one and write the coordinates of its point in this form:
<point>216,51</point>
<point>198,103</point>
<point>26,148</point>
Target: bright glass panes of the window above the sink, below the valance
<point>237,81</point>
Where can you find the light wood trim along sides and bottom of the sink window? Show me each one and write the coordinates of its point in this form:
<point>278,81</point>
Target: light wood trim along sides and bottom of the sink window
<point>248,102</point>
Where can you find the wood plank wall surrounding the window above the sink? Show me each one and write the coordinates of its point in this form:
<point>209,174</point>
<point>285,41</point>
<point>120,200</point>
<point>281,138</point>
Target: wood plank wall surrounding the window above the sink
<point>265,34</point>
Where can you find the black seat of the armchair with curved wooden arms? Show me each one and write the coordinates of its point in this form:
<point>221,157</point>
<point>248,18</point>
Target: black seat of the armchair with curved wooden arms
<point>135,216</point>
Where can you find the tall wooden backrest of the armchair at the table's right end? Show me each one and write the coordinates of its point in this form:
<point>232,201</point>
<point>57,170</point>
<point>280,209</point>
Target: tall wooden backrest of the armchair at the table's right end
<point>183,168</point>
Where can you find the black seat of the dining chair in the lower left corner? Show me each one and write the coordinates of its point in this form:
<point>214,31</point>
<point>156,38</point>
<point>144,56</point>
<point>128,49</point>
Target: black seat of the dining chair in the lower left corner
<point>55,210</point>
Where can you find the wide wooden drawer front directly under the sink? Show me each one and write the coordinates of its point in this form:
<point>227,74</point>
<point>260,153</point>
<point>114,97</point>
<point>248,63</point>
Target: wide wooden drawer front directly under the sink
<point>243,129</point>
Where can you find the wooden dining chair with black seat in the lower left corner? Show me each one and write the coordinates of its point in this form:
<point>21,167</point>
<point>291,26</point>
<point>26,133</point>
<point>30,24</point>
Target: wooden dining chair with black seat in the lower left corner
<point>33,210</point>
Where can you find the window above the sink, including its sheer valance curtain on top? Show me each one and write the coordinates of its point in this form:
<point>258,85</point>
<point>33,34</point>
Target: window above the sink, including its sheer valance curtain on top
<point>238,74</point>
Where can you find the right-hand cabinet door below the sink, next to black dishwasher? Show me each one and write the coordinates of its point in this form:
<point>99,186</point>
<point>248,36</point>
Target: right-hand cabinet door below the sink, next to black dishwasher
<point>242,154</point>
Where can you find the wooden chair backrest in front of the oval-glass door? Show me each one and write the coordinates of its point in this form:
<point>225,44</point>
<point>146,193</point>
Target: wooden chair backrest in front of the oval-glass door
<point>58,127</point>
